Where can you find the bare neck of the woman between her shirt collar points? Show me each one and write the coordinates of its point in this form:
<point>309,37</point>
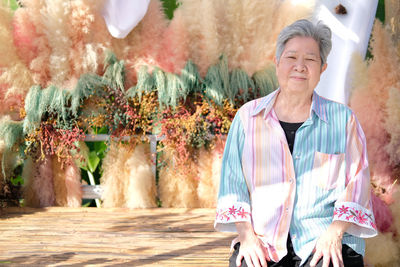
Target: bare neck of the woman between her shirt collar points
<point>291,107</point>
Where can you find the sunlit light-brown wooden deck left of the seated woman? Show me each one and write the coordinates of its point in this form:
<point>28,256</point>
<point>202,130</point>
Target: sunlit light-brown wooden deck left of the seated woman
<point>108,237</point>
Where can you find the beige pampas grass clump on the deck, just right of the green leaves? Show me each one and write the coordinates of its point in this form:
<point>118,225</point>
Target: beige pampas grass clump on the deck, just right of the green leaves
<point>128,180</point>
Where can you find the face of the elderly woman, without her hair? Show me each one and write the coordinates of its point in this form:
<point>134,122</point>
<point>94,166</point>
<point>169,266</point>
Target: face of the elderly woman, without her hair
<point>299,67</point>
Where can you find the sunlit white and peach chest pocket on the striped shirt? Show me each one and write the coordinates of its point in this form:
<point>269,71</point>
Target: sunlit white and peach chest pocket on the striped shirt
<point>328,170</point>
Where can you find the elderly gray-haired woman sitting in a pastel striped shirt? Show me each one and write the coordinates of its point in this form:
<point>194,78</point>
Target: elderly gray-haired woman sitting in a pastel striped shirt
<point>295,180</point>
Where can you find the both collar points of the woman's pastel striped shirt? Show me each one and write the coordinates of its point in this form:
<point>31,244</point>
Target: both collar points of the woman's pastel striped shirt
<point>318,105</point>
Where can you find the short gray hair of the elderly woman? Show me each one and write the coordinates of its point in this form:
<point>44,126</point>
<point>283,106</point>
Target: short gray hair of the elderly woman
<point>304,28</point>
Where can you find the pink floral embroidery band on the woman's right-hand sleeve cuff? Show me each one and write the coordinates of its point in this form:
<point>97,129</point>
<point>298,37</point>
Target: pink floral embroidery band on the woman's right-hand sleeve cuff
<point>354,215</point>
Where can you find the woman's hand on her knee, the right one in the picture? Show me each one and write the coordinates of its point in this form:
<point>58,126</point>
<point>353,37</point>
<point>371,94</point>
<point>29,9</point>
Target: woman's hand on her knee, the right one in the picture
<point>329,245</point>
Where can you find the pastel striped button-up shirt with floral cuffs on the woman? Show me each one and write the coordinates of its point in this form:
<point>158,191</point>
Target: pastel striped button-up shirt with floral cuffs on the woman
<point>325,179</point>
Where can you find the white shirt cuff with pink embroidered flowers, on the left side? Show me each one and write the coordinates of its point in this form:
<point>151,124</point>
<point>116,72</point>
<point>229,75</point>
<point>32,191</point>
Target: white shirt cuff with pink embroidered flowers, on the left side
<point>227,216</point>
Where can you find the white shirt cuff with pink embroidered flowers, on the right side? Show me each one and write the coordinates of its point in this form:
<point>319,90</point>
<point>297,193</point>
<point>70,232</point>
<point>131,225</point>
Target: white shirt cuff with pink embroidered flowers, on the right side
<point>362,219</point>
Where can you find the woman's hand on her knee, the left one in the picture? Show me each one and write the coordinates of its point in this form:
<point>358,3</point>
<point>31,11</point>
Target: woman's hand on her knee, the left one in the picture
<point>251,248</point>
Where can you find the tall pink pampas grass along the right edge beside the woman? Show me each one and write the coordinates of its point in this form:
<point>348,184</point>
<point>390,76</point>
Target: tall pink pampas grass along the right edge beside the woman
<point>369,104</point>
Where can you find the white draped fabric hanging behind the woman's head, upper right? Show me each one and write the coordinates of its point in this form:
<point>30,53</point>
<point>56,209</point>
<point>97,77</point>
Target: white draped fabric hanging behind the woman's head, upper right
<point>350,33</point>
